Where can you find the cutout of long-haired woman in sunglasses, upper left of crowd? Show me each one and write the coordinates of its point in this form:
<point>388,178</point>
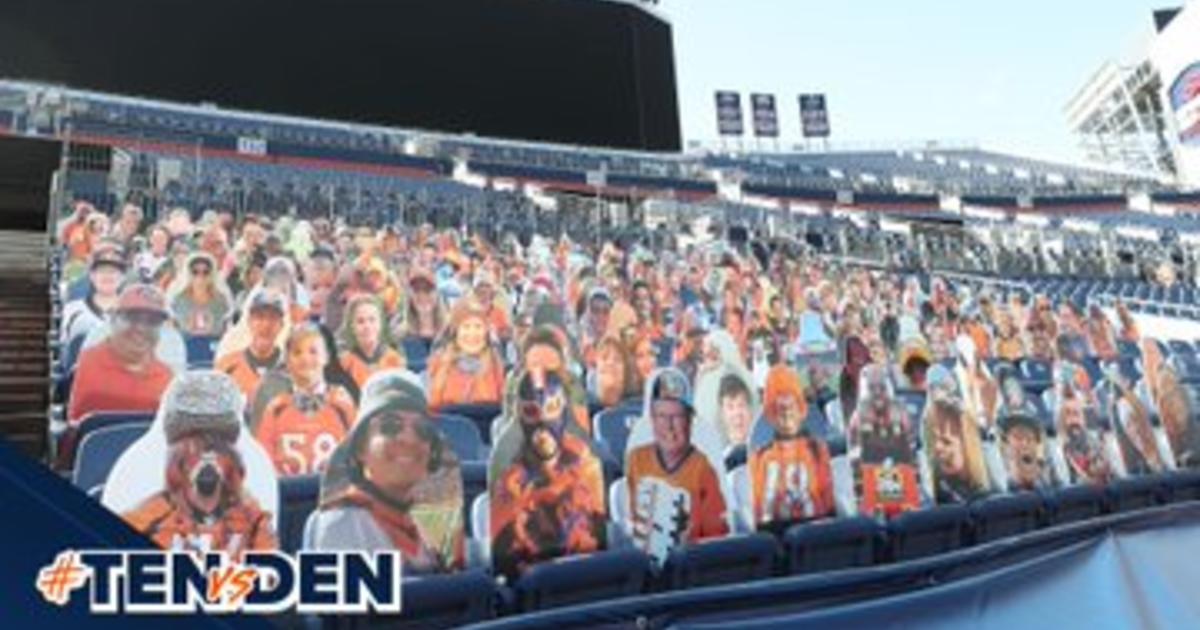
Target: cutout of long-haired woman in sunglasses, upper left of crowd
<point>200,299</point>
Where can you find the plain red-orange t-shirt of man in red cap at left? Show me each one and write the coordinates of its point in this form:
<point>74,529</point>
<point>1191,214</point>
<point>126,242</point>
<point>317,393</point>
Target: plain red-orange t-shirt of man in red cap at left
<point>103,383</point>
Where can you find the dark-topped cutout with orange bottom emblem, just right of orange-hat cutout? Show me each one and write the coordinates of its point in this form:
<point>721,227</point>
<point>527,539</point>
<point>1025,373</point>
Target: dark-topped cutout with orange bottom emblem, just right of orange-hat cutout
<point>884,449</point>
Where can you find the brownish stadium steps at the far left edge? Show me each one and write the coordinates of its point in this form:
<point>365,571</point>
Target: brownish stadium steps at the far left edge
<point>25,341</point>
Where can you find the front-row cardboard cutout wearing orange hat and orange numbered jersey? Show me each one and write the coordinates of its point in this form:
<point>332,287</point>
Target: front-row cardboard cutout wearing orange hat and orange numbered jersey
<point>791,478</point>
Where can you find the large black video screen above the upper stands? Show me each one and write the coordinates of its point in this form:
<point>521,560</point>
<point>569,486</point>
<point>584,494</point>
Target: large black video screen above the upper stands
<point>583,73</point>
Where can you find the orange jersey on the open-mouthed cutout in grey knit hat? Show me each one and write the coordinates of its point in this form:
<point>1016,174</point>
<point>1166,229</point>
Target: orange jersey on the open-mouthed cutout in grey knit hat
<point>243,527</point>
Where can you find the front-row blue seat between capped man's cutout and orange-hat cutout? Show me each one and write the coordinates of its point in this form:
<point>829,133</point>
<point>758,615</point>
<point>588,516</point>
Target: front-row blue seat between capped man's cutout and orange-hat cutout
<point>728,561</point>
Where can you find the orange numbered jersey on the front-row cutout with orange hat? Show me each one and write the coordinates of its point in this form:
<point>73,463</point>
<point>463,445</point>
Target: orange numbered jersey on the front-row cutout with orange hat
<point>791,481</point>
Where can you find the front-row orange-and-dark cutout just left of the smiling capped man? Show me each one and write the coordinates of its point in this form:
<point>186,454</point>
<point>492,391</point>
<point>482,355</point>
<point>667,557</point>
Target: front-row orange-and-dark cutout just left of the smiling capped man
<point>547,485</point>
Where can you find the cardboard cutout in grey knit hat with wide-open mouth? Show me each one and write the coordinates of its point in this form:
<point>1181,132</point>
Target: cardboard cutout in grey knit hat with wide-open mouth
<point>197,482</point>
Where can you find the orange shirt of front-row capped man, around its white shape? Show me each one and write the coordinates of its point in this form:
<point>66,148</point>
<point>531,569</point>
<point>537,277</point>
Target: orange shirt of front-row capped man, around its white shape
<point>695,476</point>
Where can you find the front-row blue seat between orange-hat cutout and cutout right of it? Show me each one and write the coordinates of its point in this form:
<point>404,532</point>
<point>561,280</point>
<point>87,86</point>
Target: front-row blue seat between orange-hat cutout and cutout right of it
<point>832,545</point>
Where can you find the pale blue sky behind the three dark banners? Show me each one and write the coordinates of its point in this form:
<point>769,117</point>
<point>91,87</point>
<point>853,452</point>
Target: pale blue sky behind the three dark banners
<point>994,73</point>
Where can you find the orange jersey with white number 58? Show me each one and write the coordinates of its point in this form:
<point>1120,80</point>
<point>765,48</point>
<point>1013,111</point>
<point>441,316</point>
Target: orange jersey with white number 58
<point>301,443</point>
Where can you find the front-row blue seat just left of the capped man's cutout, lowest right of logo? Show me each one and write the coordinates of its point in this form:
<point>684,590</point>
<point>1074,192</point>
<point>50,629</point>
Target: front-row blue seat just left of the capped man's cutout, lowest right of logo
<point>583,579</point>
